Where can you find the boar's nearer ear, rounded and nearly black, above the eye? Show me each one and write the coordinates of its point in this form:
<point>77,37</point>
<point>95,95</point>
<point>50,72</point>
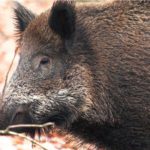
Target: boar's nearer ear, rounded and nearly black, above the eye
<point>62,18</point>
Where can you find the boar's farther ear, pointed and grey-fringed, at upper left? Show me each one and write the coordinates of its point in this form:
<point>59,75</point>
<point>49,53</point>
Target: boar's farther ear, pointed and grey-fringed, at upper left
<point>23,17</point>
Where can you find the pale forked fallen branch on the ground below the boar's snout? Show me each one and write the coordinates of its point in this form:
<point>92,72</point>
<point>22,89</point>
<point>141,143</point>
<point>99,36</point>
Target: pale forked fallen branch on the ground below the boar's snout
<point>7,131</point>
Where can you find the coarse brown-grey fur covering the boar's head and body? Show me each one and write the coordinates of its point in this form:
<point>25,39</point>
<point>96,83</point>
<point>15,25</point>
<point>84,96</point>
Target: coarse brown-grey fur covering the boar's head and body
<point>97,83</point>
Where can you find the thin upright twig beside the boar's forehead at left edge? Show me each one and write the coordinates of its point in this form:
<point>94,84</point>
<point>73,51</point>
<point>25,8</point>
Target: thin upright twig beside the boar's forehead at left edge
<point>7,74</point>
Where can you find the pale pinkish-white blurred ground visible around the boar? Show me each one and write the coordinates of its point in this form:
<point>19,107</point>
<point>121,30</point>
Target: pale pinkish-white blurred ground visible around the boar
<point>7,49</point>
